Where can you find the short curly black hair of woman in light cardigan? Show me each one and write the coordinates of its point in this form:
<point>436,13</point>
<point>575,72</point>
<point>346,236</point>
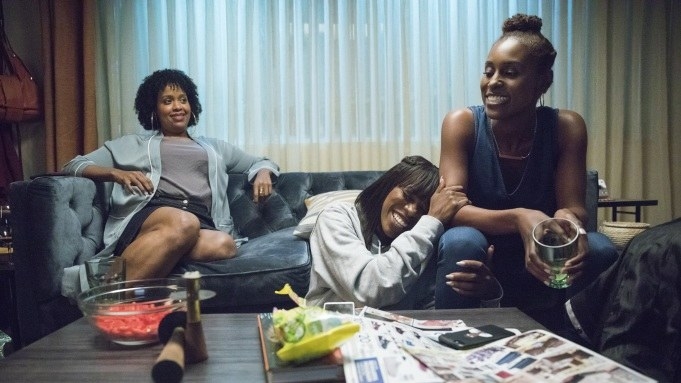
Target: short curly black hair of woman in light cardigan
<point>152,85</point>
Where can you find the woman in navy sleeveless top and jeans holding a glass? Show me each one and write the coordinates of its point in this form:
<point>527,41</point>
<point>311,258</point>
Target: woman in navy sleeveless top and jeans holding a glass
<point>519,164</point>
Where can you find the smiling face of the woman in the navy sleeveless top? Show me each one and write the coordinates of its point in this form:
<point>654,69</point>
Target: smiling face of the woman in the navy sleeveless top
<point>510,83</point>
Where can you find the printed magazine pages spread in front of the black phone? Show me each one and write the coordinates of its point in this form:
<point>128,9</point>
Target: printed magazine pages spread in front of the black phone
<point>531,356</point>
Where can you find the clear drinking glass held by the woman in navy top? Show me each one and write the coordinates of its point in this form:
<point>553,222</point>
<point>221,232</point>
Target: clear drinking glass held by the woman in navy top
<point>556,242</point>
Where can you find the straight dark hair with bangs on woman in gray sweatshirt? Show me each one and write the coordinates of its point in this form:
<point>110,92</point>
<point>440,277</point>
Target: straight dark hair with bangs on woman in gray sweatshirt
<point>414,174</point>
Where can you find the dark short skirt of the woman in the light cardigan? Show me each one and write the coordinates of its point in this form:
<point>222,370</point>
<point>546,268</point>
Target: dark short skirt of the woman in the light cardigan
<point>159,200</point>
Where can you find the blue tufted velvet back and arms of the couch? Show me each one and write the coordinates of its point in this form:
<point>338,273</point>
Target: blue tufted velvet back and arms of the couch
<point>58,222</point>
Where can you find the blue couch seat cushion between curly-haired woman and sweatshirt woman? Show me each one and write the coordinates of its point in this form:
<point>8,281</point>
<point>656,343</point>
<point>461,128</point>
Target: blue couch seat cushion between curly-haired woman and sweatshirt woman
<point>262,265</point>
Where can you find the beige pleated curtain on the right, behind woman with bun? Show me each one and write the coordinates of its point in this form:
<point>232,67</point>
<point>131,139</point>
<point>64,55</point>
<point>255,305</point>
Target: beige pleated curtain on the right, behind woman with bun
<point>629,97</point>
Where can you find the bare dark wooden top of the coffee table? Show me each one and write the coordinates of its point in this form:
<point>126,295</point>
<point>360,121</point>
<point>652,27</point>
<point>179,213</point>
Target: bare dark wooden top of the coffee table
<point>76,353</point>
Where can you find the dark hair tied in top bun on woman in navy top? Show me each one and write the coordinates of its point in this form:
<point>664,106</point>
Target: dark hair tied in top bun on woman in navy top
<point>527,30</point>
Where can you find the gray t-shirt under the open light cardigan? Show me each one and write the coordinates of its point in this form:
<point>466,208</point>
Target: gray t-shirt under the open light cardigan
<point>184,165</point>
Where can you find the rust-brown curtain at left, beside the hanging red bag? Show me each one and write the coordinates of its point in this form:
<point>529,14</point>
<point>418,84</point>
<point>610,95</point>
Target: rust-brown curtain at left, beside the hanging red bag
<point>68,53</point>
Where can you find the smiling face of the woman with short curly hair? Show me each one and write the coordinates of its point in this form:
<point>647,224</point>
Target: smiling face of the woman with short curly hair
<point>173,111</point>
